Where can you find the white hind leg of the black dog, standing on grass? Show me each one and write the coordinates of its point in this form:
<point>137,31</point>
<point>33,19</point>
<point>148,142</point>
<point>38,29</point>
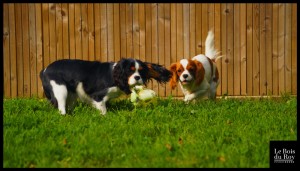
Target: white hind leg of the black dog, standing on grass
<point>61,93</point>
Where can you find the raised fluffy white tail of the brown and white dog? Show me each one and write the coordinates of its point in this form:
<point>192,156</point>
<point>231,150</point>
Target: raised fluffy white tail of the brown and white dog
<point>210,50</point>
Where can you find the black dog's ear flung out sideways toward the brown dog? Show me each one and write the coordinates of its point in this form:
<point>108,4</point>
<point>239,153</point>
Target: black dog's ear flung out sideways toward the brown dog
<point>158,72</point>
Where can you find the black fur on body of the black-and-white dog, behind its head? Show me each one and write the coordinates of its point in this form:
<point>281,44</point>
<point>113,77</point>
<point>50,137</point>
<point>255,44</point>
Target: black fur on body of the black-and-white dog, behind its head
<point>94,75</point>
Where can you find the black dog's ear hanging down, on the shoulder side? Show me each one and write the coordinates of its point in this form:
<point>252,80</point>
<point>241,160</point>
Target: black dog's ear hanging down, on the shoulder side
<point>120,76</point>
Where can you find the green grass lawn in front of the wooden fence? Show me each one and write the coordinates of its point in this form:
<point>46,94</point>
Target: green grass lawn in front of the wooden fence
<point>232,133</point>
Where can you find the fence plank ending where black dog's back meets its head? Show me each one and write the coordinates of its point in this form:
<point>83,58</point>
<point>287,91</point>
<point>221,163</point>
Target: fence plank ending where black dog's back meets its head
<point>110,33</point>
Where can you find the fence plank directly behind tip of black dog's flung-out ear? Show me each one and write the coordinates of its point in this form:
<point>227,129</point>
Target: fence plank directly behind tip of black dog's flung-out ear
<point>167,30</point>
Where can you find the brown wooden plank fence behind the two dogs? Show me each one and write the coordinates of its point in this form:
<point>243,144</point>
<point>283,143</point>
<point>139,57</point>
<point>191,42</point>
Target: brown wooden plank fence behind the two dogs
<point>258,41</point>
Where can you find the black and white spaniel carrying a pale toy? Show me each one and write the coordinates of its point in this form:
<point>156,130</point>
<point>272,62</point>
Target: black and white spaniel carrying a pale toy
<point>95,82</point>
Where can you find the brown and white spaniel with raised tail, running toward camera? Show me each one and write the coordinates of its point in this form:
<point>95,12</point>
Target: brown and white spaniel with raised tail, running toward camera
<point>199,76</point>
